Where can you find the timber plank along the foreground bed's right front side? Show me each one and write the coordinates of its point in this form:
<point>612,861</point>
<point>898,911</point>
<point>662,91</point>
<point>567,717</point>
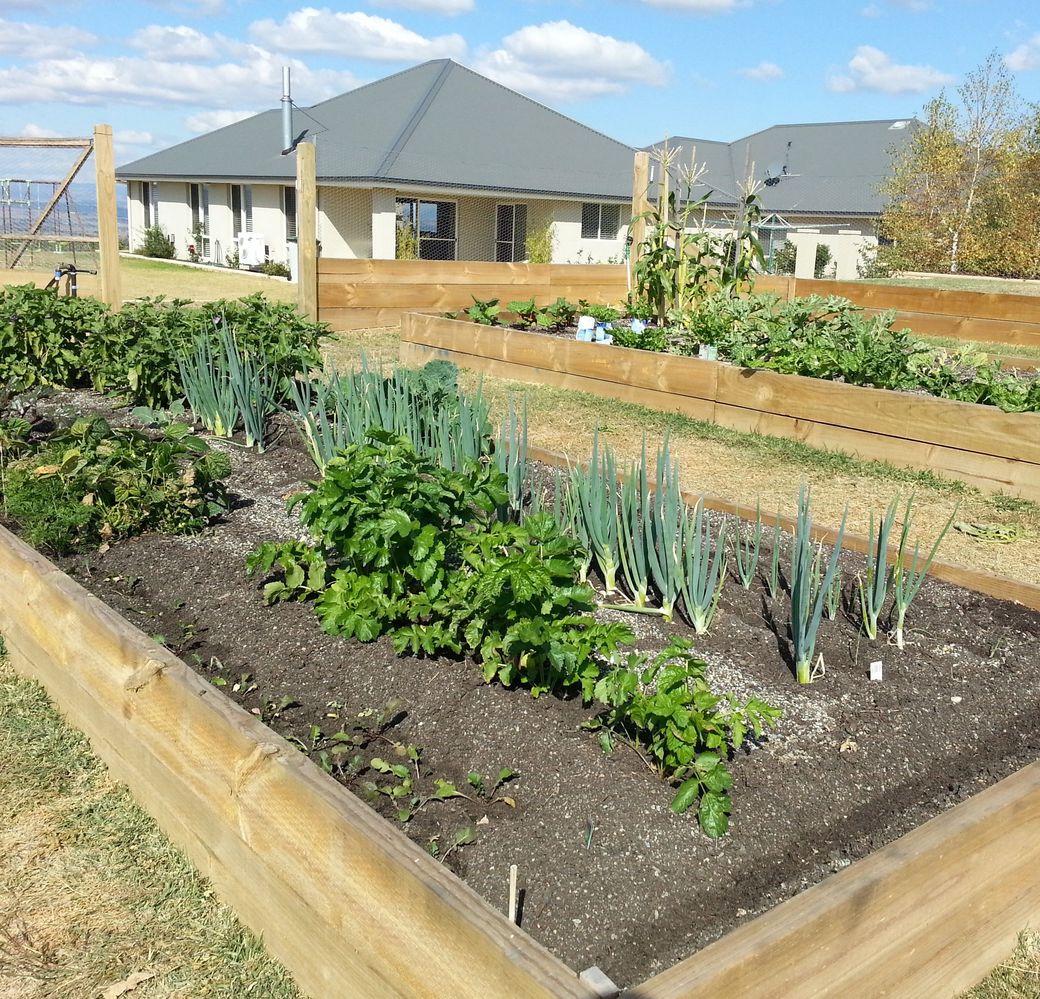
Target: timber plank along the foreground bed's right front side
<point>927,915</point>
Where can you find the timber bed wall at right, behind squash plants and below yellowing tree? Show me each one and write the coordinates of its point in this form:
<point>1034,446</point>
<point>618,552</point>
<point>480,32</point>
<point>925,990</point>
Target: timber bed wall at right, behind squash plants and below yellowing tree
<point>964,316</point>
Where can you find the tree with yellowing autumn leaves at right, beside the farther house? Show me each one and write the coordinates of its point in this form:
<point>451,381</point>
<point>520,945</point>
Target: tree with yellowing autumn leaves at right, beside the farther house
<point>950,171</point>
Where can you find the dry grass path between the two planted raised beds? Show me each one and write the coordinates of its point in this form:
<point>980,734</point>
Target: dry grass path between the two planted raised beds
<point>745,468</point>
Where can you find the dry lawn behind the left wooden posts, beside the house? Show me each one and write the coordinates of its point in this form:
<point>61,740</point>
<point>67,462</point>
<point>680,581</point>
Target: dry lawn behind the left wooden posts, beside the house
<point>148,278</point>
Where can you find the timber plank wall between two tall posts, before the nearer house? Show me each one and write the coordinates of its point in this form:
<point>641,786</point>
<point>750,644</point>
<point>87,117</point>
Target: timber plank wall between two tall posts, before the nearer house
<point>355,295</point>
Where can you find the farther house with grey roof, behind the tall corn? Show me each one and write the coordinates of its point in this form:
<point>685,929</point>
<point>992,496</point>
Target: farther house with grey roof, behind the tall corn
<point>817,183</point>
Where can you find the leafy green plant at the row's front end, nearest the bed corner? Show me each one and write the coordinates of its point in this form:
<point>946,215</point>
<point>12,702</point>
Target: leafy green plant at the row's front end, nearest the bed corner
<point>666,706</point>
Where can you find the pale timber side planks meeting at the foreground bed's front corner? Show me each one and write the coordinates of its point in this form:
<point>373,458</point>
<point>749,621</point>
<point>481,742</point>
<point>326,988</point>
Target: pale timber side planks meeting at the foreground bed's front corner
<point>355,910</point>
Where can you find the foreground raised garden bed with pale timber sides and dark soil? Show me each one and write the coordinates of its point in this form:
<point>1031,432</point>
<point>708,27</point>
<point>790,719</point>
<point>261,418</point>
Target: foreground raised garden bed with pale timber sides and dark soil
<point>359,911</point>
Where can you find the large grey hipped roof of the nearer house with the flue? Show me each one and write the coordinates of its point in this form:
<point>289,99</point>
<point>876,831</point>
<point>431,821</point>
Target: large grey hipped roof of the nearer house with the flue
<point>435,125</point>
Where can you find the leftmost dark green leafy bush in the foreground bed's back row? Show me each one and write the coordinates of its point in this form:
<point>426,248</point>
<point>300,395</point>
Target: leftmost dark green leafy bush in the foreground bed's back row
<point>43,336</point>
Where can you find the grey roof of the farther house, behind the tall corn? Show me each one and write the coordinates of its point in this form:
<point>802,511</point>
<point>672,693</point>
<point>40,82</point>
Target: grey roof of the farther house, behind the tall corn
<point>829,169</point>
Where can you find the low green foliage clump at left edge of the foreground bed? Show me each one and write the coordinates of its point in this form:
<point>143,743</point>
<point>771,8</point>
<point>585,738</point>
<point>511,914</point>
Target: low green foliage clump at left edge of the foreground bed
<point>93,483</point>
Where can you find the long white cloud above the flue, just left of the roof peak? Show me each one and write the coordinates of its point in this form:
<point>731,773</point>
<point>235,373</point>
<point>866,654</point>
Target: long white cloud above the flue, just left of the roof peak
<point>356,35</point>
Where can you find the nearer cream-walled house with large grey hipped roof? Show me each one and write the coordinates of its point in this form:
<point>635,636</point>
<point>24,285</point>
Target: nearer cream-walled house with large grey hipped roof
<point>436,162</point>
